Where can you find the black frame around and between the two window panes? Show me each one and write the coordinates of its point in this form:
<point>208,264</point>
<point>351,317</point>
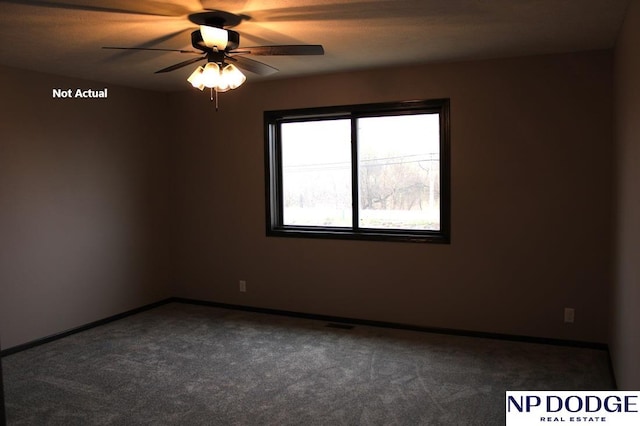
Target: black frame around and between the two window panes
<point>273,170</point>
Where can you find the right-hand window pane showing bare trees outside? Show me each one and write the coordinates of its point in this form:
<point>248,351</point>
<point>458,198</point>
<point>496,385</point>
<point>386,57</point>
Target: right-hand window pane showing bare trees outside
<point>399,172</point>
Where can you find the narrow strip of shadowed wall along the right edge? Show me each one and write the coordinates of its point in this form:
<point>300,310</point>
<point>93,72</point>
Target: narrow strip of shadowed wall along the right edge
<point>626,311</point>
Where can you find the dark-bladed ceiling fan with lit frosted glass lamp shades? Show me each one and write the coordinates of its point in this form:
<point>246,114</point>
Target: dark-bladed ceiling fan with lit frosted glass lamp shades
<point>216,43</point>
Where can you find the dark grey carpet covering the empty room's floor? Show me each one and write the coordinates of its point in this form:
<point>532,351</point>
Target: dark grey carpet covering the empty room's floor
<point>182,364</point>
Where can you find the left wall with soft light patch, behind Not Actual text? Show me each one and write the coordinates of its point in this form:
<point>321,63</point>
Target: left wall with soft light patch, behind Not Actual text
<point>84,211</point>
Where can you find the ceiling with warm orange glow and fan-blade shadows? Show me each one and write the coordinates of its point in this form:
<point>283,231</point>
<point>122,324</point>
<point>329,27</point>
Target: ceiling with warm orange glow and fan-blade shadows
<point>65,37</point>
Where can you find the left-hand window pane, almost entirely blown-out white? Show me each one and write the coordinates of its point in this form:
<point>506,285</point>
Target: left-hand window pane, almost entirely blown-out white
<point>316,173</point>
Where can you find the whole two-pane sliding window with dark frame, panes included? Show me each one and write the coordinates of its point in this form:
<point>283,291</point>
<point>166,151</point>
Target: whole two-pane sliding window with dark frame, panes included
<point>375,171</point>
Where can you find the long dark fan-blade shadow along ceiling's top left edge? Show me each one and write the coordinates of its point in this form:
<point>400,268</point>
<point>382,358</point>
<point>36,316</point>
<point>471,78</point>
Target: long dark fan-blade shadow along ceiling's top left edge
<point>140,7</point>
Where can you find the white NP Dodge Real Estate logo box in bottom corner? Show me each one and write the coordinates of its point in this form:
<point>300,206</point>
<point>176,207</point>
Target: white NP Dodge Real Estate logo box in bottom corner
<point>526,408</point>
